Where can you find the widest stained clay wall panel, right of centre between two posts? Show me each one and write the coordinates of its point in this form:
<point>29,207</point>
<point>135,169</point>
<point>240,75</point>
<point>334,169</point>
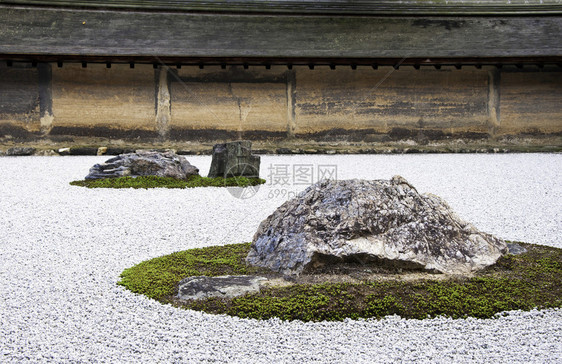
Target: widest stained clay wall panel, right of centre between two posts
<point>387,98</point>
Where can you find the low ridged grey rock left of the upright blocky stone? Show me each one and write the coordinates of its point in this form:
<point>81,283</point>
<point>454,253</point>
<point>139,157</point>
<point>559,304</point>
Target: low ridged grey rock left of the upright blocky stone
<point>144,163</point>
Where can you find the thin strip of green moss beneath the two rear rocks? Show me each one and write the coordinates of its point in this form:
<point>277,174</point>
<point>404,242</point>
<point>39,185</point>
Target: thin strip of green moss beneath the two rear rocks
<point>168,182</point>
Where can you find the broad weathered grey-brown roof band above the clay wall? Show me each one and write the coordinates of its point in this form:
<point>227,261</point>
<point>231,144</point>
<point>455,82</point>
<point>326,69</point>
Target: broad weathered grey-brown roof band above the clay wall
<point>101,33</point>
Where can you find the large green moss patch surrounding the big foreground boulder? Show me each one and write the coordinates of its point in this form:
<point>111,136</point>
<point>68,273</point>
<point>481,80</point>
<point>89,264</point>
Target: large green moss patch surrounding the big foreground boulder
<point>522,282</point>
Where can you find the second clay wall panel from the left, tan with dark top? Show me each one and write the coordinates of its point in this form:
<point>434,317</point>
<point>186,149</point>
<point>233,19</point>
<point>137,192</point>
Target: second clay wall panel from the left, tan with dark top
<point>97,96</point>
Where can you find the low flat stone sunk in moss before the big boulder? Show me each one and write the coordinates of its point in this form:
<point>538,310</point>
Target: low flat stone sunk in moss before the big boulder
<point>194,288</point>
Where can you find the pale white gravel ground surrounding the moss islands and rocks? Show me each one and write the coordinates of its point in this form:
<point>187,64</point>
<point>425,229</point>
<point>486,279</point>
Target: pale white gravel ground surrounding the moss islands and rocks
<point>62,249</point>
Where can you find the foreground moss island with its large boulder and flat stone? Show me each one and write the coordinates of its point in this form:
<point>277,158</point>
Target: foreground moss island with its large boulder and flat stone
<point>433,263</point>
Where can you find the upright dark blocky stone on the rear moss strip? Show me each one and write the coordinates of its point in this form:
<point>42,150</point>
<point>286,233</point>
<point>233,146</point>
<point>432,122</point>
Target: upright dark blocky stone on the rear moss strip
<point>234,159</point>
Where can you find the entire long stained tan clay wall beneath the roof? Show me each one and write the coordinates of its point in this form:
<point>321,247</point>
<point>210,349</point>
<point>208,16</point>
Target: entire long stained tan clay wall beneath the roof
<point>258,103</point>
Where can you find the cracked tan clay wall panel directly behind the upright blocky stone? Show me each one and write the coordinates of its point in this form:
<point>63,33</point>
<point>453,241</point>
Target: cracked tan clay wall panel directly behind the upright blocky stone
<point>201,100</point>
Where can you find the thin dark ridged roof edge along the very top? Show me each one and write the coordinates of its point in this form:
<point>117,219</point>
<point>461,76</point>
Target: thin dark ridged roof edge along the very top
<point>320,7</point>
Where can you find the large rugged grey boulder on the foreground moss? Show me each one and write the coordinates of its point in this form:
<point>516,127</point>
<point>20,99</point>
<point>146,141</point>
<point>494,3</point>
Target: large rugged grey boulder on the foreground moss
<point>381,221</point>
